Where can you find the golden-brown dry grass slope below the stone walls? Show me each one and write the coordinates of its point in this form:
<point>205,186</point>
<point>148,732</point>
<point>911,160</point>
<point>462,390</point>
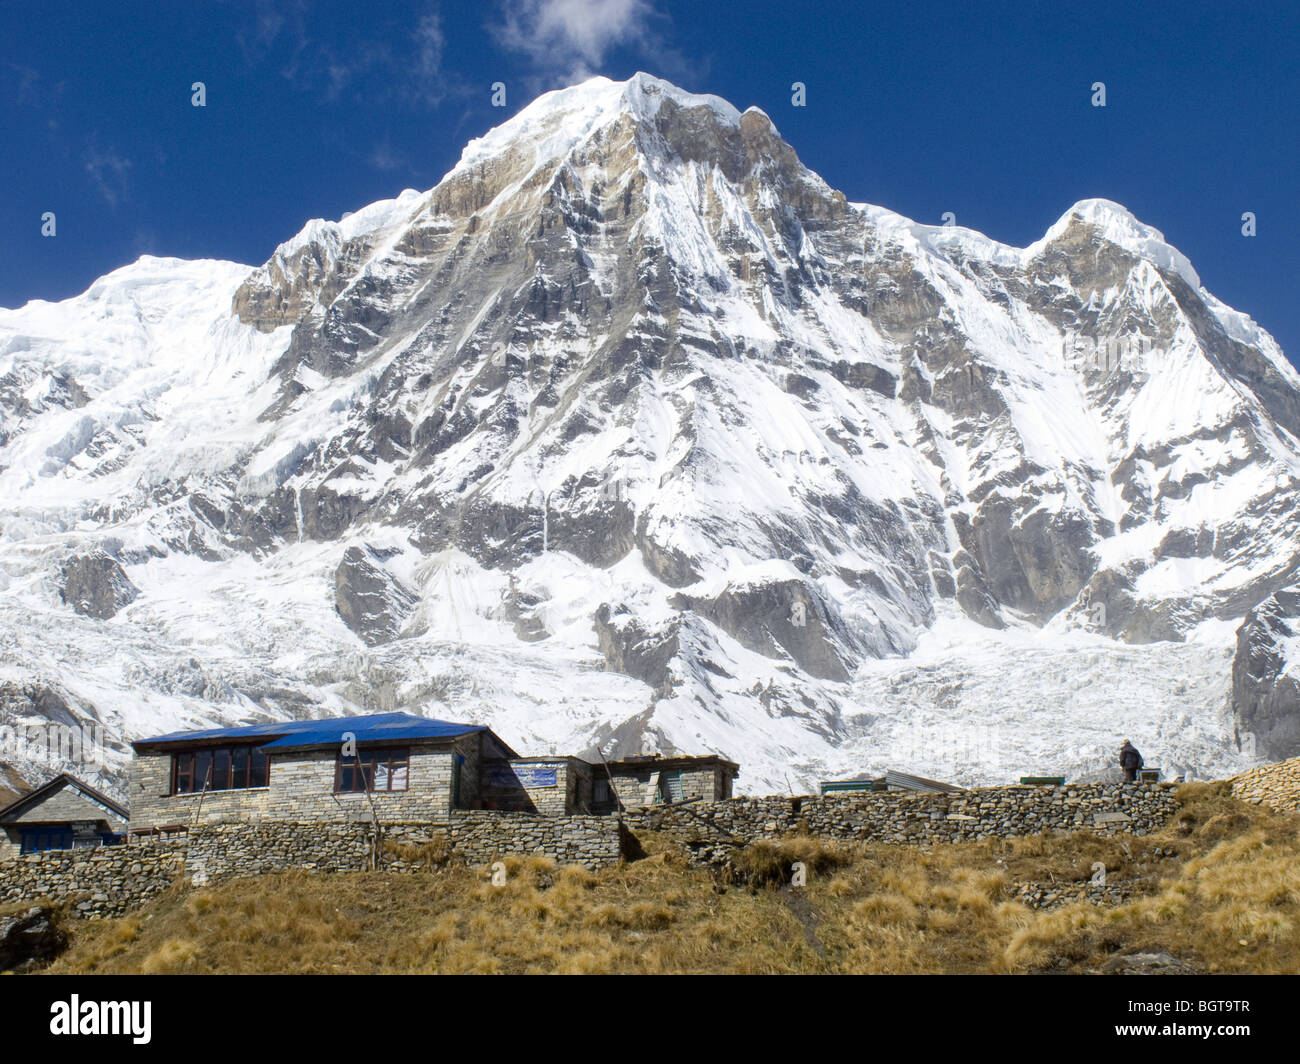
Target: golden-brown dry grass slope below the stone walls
<point>1219,889</point>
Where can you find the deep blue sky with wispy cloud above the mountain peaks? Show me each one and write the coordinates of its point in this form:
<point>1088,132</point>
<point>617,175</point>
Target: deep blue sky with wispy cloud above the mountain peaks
<point>982,110</point>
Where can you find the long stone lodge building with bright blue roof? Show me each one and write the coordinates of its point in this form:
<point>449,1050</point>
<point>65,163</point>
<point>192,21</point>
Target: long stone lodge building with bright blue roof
<point>392,767</point>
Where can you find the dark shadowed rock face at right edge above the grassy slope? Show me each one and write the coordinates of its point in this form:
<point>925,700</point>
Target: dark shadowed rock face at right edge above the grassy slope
<point>1266,685</point>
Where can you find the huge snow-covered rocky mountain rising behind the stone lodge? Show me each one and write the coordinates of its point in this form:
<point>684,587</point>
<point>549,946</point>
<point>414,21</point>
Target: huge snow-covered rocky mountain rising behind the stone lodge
<point>635,434</point>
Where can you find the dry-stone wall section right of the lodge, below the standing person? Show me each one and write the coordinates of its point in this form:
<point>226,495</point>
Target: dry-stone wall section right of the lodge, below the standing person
<point>909,818</point>
